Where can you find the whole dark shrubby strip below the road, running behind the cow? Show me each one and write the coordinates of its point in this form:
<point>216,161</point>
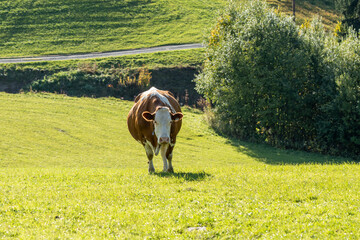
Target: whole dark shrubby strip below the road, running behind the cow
<point>92,80</point>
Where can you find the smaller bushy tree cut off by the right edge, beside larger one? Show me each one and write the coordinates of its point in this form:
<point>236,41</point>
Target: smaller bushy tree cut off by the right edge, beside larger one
<point>339,131</point>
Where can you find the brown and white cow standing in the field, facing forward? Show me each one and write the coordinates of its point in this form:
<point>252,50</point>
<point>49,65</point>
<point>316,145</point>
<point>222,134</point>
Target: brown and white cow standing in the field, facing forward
<point>154,121</point>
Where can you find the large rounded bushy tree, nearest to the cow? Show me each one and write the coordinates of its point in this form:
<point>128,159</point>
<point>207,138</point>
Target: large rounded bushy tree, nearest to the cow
<point>259,75</point>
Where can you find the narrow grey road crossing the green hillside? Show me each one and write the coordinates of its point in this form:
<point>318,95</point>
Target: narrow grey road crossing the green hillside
<point>101,55</point>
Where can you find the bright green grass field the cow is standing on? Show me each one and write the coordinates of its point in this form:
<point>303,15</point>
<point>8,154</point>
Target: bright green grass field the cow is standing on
<point>69,169</point>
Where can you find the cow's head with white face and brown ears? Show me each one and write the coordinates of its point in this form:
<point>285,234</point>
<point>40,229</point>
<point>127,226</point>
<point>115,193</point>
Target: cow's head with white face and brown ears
<point>162,119</point>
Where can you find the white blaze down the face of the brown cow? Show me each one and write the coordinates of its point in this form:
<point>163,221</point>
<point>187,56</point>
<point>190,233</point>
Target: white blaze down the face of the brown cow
<point>162,124</point>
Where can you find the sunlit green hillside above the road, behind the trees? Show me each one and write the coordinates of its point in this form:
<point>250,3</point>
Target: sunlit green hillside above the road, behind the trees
<point>41,27</point>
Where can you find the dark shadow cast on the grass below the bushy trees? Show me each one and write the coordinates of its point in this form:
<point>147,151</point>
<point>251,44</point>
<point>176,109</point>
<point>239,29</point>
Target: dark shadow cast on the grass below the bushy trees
<point>275,156</point>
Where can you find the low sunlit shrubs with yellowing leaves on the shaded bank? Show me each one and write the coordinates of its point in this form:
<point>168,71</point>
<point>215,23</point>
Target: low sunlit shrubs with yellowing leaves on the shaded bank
<point>88,81</point>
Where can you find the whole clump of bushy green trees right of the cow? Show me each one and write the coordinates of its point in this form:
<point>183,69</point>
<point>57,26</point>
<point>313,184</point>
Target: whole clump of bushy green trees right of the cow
<point>294,87</point>
